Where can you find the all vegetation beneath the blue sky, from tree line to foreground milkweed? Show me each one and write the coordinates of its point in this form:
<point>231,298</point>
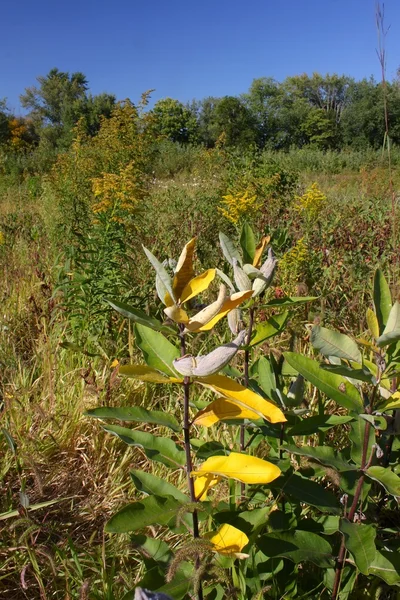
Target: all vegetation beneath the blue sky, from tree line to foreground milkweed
<point>118,226</point>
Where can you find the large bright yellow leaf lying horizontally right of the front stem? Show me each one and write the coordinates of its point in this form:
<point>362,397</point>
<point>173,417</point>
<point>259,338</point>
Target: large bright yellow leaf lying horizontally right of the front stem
<point>242,467</point>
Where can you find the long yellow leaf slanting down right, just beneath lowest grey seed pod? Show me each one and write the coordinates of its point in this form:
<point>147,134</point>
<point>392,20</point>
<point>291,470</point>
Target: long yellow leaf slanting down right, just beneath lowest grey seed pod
<point>244,397</point>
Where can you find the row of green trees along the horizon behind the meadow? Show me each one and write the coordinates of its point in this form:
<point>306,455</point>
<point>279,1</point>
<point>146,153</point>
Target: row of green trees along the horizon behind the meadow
<point>329,112</point>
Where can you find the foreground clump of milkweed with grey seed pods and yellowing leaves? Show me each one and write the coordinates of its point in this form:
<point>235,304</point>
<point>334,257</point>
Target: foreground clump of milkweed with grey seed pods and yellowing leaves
<point>301,501</point>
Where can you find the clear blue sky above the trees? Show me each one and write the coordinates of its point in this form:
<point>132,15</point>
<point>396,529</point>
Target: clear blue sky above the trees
<point>188,50</point>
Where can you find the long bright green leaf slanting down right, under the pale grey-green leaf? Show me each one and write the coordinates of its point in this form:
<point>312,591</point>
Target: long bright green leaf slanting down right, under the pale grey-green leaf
<point>334,386</point>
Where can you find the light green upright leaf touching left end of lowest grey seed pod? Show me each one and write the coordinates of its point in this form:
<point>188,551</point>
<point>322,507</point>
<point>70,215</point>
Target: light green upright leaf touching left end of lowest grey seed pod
<point>157,351</point>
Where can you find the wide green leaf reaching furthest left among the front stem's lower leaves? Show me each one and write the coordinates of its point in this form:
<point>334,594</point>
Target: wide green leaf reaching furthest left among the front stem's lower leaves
<point>153,510</point>
